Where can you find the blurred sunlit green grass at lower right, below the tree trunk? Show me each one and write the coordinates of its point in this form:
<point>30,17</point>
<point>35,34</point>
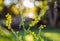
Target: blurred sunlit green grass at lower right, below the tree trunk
<point>51,34</point>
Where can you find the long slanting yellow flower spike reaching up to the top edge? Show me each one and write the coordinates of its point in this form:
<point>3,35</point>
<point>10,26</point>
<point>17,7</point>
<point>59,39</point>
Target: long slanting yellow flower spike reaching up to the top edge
<point>44,8</point>
